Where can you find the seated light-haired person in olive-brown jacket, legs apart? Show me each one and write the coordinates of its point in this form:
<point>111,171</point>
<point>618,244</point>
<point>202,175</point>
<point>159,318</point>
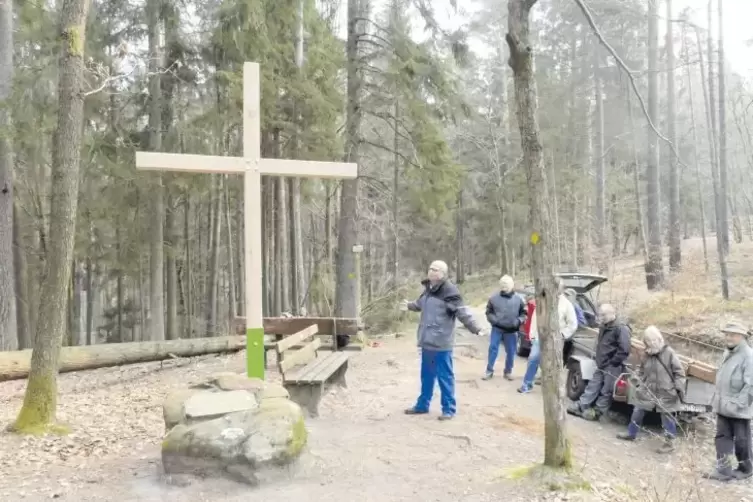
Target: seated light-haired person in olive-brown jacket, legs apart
<point>660,386</point>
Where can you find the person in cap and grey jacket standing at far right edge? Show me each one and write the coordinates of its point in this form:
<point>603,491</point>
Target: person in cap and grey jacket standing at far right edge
<point>733,404</point>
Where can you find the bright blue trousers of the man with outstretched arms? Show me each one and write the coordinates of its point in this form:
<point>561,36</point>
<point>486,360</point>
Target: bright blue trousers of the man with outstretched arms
<point>436,365</point>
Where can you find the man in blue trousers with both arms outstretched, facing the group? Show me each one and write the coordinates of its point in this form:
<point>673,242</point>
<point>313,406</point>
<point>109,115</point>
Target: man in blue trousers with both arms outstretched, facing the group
<point>440,305</point>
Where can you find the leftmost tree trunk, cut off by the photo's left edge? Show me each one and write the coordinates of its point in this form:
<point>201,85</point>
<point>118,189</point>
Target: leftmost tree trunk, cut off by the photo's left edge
<point>8,323</point>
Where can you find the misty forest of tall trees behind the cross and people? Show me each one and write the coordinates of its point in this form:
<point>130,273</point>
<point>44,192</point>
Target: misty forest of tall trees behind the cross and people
<point>644,128</point>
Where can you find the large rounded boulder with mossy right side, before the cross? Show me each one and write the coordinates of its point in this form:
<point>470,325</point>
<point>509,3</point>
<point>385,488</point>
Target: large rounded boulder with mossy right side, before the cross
<point>249,446</point>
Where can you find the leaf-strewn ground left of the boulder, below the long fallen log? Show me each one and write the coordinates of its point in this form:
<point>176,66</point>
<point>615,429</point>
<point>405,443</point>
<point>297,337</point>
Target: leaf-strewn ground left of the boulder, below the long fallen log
<point>111,412</point>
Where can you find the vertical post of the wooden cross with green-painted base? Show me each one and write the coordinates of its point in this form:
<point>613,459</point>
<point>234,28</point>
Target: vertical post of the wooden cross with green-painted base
<point>252,220</point>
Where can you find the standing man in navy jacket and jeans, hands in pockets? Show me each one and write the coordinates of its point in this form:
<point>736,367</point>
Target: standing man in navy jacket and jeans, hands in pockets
<point>506,312</point>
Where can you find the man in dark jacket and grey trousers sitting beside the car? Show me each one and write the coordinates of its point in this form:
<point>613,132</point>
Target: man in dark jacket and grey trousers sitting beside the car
<point>612,350</point>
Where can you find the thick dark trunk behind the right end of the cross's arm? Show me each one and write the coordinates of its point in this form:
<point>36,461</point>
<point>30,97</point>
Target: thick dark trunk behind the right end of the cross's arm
<point>346,303</point>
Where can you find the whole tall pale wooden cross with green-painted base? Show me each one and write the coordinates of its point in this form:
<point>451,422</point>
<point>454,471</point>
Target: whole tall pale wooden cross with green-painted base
<point>252,166</point>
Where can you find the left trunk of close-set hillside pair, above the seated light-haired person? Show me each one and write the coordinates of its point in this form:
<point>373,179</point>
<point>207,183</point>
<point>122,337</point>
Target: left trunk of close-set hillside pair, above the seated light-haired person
<point>654,266</point>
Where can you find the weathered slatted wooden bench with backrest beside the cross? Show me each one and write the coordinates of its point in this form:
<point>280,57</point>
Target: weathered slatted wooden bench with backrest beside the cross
<point>306,371</point>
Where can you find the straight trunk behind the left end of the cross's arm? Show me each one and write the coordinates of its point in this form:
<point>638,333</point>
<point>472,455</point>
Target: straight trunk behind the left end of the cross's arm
<point>157,214</point>
